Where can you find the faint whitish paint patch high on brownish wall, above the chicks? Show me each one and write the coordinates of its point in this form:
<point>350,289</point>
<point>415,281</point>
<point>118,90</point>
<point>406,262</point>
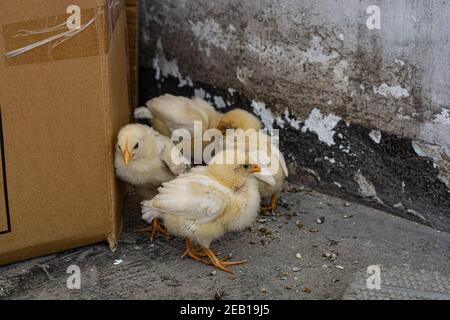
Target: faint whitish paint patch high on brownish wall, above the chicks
<point>209,34</point>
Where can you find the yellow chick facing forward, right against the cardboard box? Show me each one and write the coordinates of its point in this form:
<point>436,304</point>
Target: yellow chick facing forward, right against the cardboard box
<point>144,159</point>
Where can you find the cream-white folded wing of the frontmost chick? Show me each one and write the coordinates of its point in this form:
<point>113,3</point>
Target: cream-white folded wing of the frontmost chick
<point>194,197</point>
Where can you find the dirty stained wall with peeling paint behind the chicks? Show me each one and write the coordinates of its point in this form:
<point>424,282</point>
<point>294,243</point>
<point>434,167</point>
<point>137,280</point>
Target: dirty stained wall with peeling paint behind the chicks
<point>363,112</point>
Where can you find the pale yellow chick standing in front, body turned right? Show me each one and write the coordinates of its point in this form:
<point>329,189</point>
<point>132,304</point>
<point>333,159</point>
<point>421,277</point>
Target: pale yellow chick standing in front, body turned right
<point>204,204</point>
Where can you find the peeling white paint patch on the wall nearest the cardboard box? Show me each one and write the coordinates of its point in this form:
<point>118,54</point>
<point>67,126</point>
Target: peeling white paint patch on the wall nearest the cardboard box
<point>164,67</point>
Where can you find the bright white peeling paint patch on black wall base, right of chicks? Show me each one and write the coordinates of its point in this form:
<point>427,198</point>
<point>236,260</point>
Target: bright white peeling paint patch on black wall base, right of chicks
<point>322,125</point>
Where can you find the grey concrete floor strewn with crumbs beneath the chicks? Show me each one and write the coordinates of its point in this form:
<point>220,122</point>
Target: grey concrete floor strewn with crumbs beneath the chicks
<point>290,256</point>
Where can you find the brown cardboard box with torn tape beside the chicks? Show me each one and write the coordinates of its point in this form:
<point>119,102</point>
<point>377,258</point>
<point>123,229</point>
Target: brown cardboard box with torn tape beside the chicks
<point>63,97</point>
